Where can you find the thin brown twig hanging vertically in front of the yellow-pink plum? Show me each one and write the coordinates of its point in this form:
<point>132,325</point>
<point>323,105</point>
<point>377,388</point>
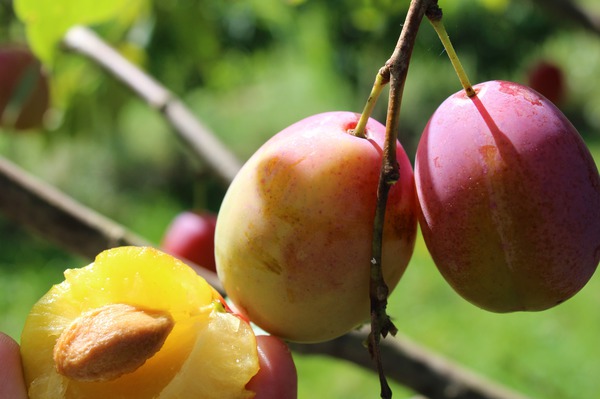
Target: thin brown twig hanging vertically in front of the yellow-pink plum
<point>395,71</point>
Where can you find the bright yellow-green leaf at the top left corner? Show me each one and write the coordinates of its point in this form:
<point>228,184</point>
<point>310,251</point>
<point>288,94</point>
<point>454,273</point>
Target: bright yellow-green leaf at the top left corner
<point>47,21</point>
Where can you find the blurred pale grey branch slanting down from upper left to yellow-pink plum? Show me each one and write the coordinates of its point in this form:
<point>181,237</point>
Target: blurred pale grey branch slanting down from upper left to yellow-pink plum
<point>202,141</point>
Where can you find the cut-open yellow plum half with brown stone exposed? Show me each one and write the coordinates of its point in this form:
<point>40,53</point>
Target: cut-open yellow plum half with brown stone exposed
<point>136,323</point>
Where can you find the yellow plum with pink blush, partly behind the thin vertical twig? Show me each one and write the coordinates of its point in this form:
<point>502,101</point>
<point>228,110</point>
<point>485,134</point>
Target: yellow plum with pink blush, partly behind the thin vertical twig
<point>294,232</point>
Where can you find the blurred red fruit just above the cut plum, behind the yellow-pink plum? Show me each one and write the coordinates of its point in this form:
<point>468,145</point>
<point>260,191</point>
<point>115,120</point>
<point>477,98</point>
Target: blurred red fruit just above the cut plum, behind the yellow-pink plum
<point>191,236</point>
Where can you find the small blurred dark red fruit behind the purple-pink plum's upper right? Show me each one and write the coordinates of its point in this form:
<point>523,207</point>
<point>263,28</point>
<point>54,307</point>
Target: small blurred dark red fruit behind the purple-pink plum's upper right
<point>548,79</point>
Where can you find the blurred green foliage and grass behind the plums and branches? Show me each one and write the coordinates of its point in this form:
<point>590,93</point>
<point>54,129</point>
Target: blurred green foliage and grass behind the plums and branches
<point>248,69</point>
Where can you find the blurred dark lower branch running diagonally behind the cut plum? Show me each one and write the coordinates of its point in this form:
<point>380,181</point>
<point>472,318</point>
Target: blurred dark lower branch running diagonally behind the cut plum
<point>60,219</point>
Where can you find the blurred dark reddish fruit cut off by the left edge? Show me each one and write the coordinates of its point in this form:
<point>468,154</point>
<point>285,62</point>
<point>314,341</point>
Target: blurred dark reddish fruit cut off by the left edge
<point>24,92</point>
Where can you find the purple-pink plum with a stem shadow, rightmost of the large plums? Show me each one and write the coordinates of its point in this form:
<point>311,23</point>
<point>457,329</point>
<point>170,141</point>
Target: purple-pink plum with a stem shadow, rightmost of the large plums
<point>509,199</point>
